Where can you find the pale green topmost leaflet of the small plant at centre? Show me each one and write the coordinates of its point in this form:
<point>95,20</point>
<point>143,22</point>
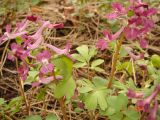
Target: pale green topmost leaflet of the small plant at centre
<point>83,50</point>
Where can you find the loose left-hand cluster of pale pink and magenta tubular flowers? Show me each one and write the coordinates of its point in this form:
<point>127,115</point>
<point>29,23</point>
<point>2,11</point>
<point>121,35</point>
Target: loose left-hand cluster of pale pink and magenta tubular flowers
<point>23,49</point>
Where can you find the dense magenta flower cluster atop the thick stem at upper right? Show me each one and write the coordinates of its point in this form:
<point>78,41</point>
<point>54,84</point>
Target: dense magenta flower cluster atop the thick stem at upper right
<point>137,22</point>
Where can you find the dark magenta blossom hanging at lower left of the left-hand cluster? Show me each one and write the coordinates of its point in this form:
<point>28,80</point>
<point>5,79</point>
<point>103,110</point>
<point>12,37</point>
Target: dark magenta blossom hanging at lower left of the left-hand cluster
<point>23,71</point>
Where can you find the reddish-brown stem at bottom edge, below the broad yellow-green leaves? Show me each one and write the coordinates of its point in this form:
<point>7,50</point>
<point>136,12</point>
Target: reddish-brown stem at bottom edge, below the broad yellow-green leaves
<point>63,108</point>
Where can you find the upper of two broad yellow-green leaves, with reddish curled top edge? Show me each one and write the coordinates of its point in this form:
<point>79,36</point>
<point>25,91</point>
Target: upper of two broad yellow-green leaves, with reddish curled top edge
<point>65,65</point>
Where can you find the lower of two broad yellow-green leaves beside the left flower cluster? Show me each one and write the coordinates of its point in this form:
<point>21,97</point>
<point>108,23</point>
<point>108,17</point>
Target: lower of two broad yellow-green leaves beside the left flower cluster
<point>65,88</point>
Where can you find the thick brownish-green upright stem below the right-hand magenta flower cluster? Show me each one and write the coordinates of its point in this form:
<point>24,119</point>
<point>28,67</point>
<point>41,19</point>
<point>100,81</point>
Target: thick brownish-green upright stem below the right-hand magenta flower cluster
<point>114,60</point>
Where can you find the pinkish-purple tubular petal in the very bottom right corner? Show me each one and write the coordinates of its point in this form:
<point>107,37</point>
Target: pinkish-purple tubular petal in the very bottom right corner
<point>153,111</point>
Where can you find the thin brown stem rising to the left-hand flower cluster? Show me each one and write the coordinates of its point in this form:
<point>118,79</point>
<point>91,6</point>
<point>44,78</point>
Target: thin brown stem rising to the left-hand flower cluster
<point>22,91</point>
